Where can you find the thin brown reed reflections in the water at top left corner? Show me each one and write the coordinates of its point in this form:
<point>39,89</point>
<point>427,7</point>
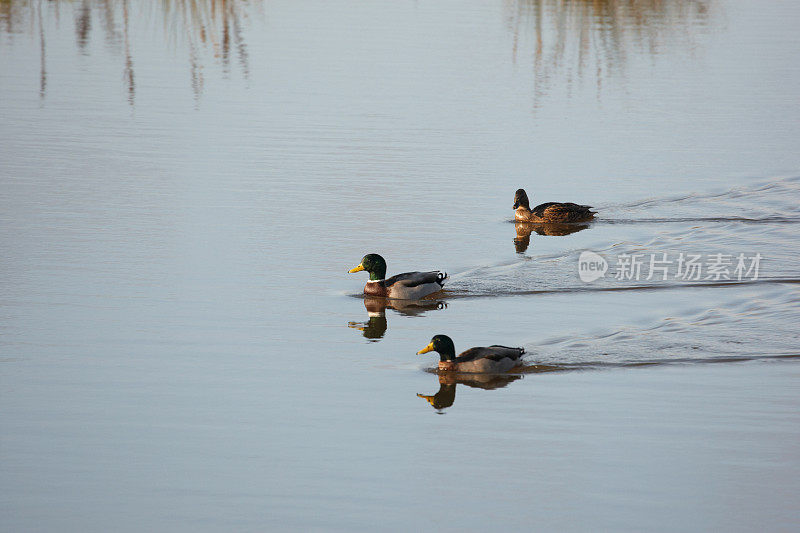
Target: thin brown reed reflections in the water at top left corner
<point>206,29</point>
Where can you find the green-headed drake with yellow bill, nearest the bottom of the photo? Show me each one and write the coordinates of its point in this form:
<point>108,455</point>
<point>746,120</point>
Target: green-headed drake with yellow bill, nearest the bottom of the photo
<point>491,359</point>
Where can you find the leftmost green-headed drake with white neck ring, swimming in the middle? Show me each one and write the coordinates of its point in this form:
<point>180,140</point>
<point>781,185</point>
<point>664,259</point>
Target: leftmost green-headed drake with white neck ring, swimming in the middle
<point>406,286</point>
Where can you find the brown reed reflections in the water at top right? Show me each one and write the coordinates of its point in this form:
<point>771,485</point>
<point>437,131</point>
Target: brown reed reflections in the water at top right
<point>595,39</point>
